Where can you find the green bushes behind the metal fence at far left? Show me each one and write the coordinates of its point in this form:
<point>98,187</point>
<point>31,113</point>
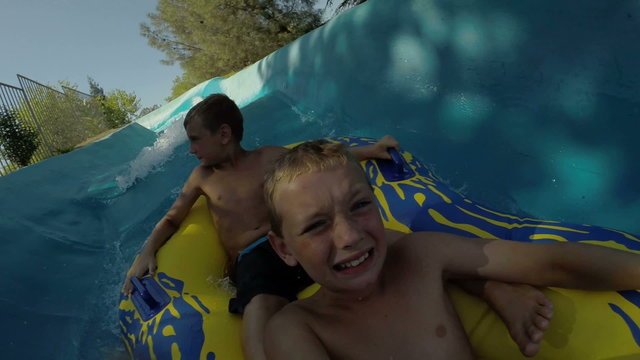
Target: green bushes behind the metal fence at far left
<point>58,121</point>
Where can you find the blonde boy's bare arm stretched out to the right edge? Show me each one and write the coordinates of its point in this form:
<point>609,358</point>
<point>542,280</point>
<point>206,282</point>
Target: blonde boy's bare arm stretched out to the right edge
<point>568,265</point>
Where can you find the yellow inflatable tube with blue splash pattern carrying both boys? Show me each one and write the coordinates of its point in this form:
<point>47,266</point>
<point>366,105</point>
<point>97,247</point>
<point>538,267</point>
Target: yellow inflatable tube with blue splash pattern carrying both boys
<point>188,319</point>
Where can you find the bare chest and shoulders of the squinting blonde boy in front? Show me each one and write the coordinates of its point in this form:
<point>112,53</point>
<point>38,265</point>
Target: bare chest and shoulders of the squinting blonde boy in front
<point>410,317</point>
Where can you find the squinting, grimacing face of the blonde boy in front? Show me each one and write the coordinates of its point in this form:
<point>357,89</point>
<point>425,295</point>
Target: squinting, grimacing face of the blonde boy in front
<point>332,227</point>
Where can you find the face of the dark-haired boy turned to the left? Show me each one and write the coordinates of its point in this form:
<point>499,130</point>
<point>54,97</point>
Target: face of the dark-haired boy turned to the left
<point>205,145</point>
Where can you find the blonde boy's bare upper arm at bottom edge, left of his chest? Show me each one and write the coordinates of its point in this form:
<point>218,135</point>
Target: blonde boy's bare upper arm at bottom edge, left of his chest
<point>287,337</point>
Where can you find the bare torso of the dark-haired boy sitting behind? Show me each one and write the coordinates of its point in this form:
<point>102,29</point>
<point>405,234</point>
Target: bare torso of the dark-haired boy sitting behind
<point>235,198</point>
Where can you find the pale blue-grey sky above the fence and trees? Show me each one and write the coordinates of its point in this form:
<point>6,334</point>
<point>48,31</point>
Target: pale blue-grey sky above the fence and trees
<point>53,40</point>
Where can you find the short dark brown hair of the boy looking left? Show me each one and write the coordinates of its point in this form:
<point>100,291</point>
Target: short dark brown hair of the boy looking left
<point>215,110</point>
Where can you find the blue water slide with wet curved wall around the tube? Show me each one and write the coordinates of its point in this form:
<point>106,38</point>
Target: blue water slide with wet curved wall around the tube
<point>530,108</point>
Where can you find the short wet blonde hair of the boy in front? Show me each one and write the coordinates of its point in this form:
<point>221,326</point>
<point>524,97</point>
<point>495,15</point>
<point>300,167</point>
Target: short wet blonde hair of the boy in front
<point>310,156</point>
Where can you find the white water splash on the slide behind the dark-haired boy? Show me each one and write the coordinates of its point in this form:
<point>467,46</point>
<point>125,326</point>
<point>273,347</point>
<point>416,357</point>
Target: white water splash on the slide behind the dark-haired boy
<point>151,158</point>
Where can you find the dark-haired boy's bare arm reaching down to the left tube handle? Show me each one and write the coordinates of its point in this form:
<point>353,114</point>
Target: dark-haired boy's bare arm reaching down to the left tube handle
<point>167,226</point>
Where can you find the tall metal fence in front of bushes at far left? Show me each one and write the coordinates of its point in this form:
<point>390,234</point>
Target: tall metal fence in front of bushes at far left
<point>58,121</point>
